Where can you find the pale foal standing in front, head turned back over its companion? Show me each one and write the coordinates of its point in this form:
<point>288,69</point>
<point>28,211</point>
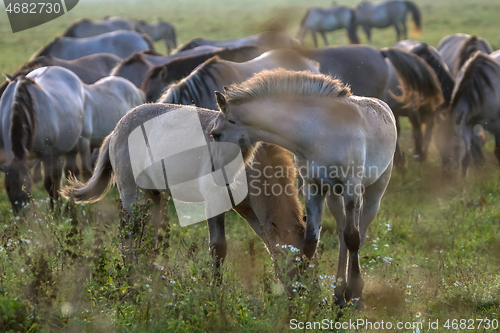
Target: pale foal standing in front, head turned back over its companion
<point>346,159</point>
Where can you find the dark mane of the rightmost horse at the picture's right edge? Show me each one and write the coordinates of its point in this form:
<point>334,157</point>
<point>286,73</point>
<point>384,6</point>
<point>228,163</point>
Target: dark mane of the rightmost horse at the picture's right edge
<point>470,88</point>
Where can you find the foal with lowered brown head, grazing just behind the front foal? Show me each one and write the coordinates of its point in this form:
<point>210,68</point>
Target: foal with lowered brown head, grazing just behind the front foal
<point>276,218</point>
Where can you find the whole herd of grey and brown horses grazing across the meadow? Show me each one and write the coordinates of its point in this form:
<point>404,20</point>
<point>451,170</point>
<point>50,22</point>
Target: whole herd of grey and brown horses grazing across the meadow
<point>335,106</point>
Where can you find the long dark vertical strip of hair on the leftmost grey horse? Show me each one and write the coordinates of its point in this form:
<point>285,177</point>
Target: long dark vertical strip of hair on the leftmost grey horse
<point>23,119</point>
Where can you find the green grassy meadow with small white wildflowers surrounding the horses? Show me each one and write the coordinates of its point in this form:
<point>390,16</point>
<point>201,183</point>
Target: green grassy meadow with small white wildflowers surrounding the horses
<point>432,253</point>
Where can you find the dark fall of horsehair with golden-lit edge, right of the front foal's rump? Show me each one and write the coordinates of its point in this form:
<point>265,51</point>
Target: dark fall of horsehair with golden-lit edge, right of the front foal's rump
<point>420,85</point>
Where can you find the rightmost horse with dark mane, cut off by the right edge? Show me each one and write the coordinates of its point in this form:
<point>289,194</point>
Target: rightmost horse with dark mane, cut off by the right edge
<point>474,107</point>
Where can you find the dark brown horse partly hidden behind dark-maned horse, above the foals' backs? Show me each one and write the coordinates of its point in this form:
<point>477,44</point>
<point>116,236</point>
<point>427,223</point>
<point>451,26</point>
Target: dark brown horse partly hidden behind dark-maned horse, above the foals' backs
<point>160,77</point>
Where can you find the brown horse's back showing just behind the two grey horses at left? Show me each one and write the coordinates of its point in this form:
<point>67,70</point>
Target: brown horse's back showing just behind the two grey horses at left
<point>89,68</point>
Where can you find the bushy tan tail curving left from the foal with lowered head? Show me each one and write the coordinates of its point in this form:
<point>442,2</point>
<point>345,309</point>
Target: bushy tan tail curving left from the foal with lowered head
<point>97,186</point>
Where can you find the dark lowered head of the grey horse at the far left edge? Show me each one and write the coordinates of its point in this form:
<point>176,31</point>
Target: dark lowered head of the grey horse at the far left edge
<point>18,183</point>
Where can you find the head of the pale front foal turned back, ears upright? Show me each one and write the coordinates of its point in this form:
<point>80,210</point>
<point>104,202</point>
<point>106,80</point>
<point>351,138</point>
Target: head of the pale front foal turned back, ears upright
<point>228,127</point>
